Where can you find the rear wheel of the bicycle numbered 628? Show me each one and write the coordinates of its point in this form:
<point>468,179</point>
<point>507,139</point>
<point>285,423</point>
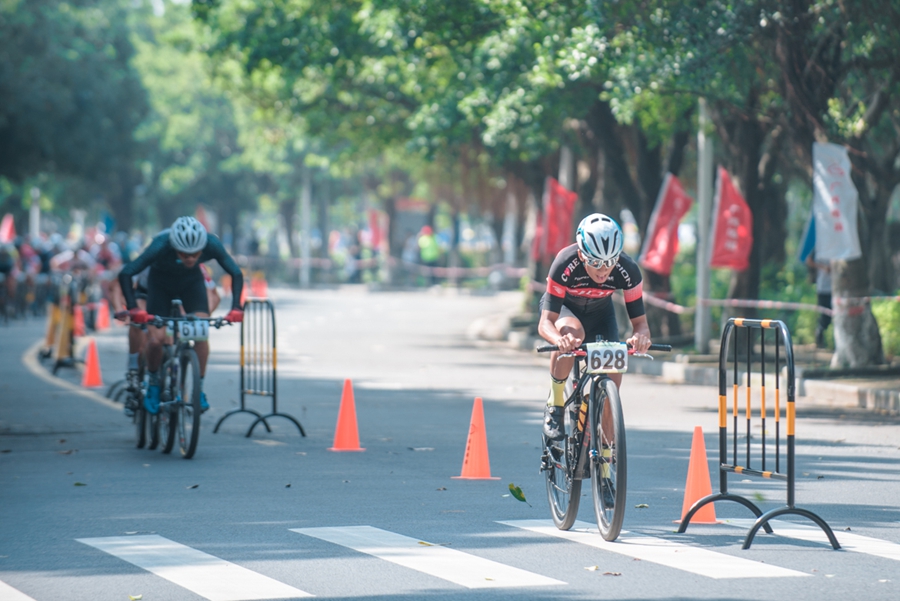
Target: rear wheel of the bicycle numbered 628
<point>563,489</point>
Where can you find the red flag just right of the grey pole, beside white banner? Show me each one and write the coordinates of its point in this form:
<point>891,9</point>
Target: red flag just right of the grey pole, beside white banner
<point>732,226</point>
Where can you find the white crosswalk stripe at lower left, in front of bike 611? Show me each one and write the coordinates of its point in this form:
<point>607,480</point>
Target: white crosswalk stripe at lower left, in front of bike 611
<point>204,574</point>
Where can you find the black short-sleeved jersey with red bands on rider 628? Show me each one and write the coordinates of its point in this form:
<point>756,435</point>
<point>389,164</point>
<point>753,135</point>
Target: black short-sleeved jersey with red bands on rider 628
<point>568,284</point>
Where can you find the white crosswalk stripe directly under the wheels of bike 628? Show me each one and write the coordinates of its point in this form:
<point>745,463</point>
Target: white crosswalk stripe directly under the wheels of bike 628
<point>659,550</point>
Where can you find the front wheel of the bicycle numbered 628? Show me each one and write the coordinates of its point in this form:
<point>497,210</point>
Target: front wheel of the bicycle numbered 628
<point>608,458</point>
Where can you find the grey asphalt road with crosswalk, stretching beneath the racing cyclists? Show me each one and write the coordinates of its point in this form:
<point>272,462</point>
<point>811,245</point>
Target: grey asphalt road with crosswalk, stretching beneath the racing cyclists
<point>85,515</point>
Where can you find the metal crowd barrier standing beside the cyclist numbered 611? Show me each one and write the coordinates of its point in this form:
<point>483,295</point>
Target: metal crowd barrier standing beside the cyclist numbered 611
<point>259,362</point>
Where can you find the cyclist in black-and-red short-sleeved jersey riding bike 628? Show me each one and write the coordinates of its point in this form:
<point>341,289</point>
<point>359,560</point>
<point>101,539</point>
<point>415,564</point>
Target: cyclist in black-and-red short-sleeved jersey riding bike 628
<point>578,304</point>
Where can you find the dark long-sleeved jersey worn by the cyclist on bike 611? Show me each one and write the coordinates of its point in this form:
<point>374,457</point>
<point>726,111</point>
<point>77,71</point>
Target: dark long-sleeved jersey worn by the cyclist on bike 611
<point>163,262</point>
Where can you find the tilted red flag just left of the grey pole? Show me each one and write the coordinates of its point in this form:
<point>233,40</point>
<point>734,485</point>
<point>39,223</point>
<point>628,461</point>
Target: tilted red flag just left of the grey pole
<point>661,241</point>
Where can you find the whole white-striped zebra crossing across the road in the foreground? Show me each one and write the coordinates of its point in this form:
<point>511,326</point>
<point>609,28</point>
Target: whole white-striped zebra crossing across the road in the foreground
<point>216,579</point>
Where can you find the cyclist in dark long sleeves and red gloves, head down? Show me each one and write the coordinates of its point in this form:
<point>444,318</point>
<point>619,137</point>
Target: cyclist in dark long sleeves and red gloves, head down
<point>174,257</point>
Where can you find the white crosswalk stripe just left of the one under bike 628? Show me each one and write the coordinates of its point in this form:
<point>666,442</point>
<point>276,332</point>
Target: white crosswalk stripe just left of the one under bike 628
<point>460,568</point>
